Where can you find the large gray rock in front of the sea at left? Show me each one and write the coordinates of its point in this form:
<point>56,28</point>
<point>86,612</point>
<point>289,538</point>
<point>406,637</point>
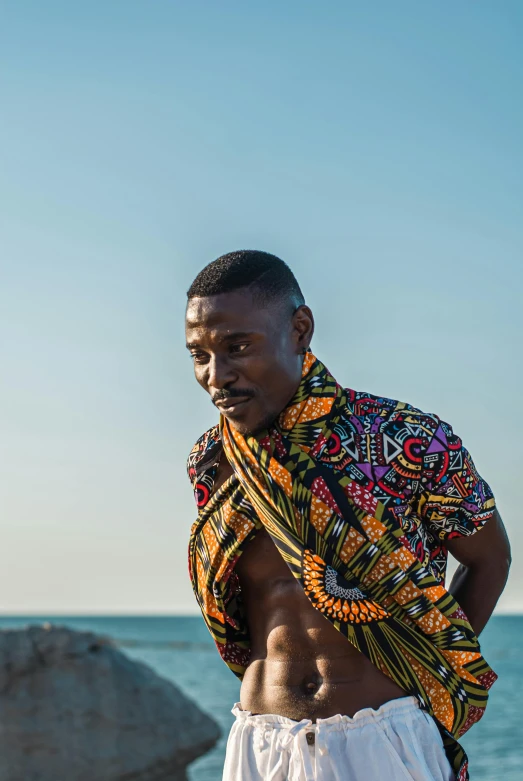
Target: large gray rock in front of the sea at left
<point>75,708</point>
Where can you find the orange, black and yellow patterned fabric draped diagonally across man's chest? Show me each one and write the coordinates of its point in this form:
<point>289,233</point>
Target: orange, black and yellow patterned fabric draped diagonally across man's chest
<point>348,552</point>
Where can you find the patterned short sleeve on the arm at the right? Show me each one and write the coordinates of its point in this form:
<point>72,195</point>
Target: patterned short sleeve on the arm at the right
<point>455,501</point>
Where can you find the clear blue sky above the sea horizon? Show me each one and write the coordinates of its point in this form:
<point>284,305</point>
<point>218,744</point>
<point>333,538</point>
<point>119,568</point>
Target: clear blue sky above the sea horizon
<point>376,147</point>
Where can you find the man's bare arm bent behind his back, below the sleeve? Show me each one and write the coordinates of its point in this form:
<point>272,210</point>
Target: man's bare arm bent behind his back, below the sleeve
<point>484,559</point>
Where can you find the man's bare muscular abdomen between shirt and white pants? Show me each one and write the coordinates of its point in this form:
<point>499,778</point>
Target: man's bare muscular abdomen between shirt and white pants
<point>301,666</point>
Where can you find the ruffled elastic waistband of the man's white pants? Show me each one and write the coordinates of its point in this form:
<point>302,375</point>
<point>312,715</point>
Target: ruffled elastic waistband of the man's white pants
<point>390,709</point>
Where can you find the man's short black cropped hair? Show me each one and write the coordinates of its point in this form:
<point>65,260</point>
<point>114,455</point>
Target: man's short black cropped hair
<point>267,276</point>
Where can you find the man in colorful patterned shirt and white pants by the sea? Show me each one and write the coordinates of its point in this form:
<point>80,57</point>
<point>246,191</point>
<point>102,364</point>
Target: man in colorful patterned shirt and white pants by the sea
<point>318,558</point>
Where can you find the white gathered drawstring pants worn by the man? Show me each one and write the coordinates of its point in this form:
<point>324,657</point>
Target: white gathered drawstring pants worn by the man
<point>397,742</point>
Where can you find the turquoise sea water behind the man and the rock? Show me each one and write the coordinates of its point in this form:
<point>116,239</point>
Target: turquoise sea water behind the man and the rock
<point>180,649</point>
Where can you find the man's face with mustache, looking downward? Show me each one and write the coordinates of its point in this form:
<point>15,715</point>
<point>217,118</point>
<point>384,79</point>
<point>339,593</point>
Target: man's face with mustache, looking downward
<point>247,356</point>
